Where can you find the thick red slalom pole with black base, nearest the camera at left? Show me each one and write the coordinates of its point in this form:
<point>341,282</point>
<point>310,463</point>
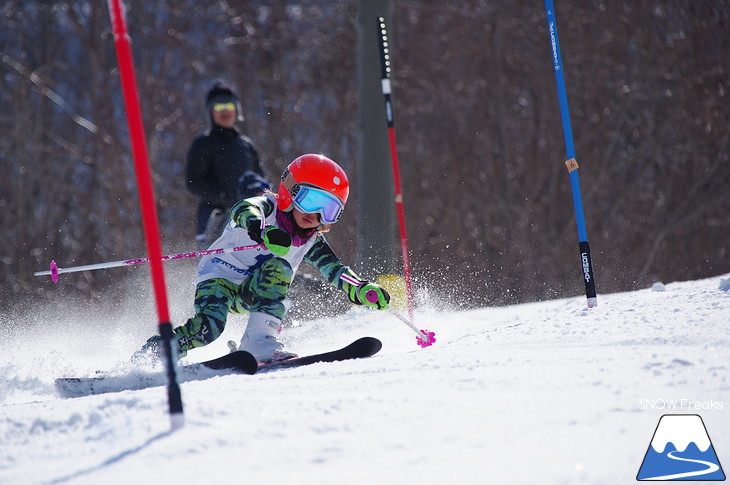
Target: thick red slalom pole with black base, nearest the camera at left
<point>147,202</point>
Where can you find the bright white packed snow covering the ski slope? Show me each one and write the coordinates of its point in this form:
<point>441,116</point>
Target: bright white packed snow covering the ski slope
<point>540,393</point>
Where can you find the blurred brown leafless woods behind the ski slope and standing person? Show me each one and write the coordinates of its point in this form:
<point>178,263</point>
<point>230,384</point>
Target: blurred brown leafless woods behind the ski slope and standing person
<point>487,196</point>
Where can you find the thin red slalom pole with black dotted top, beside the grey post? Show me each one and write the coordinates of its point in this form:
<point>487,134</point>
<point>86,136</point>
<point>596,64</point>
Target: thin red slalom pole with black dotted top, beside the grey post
<point>385,84</point>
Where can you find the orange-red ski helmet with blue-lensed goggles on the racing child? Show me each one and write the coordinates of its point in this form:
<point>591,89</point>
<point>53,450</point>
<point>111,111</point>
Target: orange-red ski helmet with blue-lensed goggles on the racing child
<point>314,184</point>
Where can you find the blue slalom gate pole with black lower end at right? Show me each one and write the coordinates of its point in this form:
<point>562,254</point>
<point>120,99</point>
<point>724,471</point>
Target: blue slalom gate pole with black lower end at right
<point>571,163</point>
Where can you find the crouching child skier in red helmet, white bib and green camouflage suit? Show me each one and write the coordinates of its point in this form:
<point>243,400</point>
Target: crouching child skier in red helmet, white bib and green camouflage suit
<point>289,228</point>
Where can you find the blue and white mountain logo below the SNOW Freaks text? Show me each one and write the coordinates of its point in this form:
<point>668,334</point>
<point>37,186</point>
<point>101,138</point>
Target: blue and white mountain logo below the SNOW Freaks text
<point>681,450</point>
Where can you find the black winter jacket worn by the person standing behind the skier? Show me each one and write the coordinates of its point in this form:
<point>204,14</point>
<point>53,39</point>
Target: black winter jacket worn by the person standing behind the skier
<point>216,161</point>
